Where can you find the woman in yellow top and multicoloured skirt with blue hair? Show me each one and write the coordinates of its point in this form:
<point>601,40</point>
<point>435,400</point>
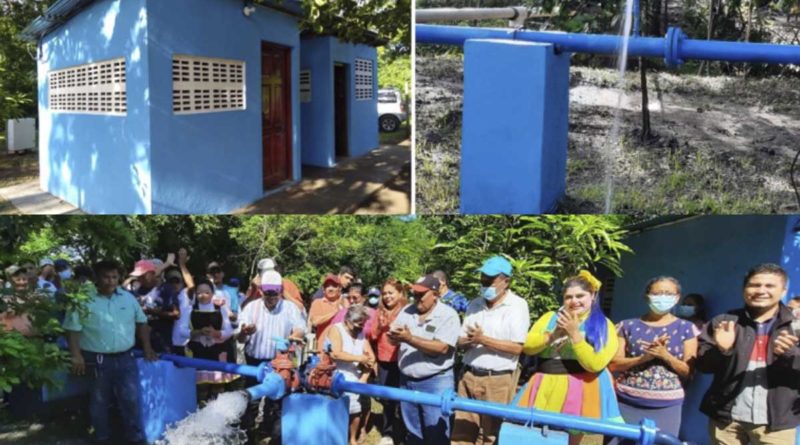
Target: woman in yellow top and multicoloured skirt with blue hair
<point>575,345</point>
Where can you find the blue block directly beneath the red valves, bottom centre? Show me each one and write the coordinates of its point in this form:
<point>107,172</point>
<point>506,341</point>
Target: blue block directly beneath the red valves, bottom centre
<point>314,419</point>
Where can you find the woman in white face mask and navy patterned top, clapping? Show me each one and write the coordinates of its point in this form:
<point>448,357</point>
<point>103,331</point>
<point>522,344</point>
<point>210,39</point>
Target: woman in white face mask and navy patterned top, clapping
<point>655,359</point>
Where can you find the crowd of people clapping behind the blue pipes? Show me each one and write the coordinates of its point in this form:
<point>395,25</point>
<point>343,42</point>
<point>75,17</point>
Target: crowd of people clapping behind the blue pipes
<point>424,336</point>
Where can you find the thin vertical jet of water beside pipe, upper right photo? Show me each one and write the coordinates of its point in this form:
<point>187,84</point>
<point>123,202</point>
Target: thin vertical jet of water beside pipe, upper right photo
<point>615,142</point>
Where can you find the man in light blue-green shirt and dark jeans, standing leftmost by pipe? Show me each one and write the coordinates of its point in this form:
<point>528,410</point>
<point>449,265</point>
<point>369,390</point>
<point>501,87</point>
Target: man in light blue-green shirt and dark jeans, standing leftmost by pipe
<point>102,342</point>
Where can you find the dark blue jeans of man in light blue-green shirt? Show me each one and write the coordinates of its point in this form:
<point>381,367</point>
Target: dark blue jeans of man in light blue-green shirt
<point>115,377</point>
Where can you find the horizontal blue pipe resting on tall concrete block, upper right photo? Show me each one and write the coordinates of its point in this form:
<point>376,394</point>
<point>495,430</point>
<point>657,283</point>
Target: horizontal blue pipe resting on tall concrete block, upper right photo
<point>674,47</point>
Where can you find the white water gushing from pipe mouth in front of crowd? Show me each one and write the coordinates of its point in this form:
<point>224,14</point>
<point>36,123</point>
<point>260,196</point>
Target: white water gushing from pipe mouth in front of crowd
<point>215,424</point>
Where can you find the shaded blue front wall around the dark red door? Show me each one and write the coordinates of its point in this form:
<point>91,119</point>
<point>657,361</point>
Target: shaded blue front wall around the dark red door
<point>211,162</point>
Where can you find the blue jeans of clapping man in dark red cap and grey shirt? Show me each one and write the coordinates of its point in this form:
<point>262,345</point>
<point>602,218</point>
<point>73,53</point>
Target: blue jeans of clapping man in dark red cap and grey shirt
<point>426,424</point>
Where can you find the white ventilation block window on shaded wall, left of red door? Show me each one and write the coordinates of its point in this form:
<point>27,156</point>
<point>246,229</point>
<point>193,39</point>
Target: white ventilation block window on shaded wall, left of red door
<point>206,85</point>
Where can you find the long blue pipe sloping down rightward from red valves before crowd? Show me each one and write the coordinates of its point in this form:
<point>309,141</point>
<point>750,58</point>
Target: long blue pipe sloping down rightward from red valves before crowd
<point>449,402</point>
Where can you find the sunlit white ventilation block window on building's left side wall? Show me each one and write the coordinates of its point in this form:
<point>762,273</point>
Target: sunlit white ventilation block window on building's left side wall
<point>95,88</point>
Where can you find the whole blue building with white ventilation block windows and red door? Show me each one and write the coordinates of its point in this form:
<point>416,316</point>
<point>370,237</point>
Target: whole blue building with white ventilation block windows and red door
<point>189,106</point>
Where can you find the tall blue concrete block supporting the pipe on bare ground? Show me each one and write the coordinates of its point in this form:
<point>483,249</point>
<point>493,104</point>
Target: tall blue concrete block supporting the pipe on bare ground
<point>514,135</point>
